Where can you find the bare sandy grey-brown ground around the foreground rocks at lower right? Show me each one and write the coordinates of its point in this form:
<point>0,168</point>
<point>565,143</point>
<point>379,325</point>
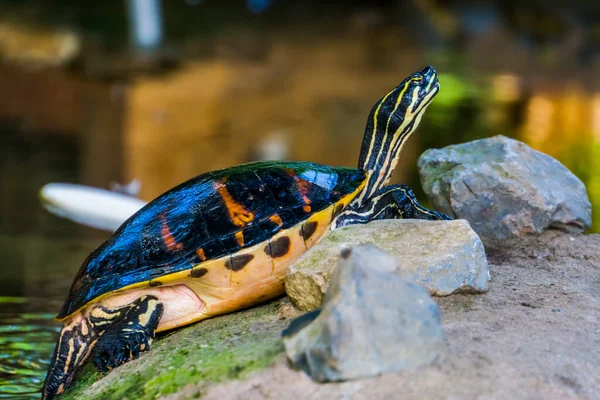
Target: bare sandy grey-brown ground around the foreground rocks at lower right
<point>535,335</point>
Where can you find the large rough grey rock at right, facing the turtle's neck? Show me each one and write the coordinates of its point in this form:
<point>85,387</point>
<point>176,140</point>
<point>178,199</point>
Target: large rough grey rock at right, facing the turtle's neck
<point>504,188</point>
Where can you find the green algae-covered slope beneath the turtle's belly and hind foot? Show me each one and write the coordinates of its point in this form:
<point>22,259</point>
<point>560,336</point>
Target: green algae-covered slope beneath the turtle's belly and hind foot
<point>216,350</point>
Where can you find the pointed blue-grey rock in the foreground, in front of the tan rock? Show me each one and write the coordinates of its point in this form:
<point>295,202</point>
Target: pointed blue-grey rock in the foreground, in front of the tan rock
<point>373,321</point>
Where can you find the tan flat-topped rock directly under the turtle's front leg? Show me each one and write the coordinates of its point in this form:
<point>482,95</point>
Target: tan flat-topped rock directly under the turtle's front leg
<point>443,256</point>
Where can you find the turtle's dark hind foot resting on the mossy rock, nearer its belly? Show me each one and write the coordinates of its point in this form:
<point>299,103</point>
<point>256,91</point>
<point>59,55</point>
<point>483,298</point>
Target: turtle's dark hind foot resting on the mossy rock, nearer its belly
<point>125,339</point>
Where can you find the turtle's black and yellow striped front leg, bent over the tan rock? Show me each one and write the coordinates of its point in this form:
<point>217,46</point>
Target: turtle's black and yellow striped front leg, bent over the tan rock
<point>390,202</point>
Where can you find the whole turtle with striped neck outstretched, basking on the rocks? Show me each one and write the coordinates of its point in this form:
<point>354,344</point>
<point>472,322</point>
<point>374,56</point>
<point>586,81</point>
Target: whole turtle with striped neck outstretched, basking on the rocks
<point>222,241</point>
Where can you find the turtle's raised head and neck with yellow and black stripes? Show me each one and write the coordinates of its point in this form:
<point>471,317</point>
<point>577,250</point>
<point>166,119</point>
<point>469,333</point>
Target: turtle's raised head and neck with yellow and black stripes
<point>391,122</point>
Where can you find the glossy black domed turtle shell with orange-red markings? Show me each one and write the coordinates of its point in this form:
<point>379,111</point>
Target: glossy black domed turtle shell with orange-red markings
<point>207,217</point>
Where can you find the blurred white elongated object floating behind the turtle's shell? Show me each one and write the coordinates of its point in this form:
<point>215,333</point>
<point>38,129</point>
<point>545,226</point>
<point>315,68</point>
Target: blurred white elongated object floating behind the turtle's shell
<point>89,206</point>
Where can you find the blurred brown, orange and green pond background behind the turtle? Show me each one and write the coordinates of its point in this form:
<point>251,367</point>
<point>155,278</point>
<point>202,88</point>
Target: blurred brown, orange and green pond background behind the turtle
<point>109,91</point>
